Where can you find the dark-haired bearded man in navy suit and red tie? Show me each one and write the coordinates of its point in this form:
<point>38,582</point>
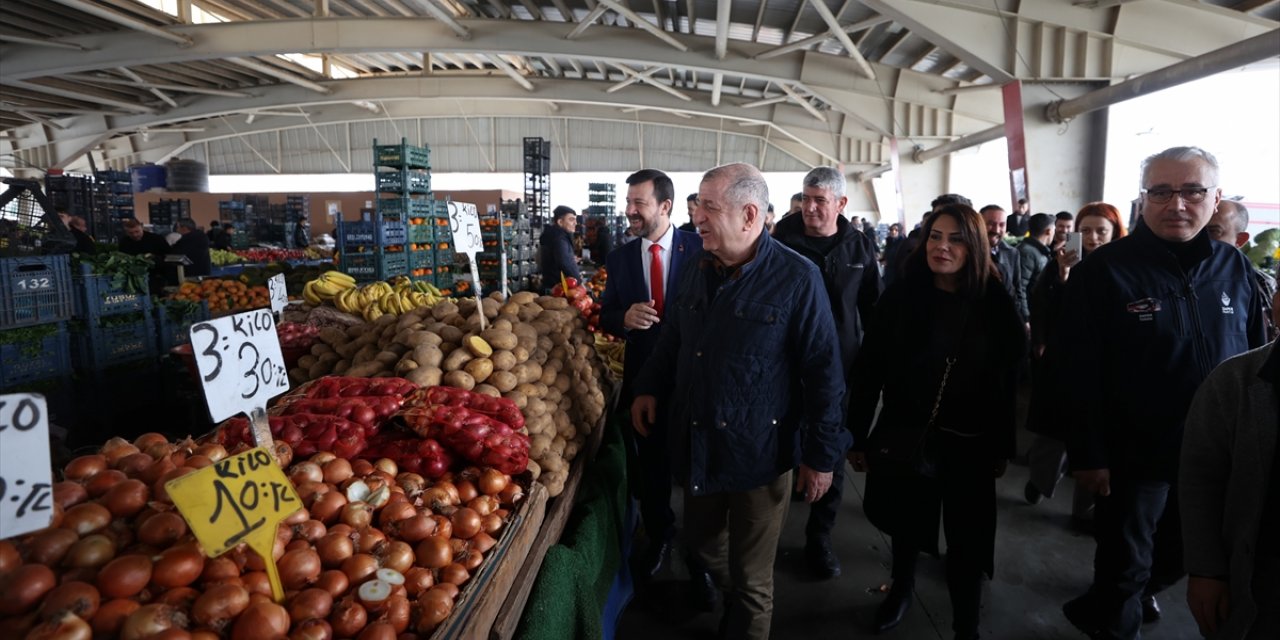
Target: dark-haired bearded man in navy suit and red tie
<point>630,310</point>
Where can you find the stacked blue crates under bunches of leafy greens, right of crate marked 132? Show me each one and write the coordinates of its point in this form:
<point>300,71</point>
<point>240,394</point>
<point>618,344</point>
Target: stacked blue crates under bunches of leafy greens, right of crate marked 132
<point>111,327</point>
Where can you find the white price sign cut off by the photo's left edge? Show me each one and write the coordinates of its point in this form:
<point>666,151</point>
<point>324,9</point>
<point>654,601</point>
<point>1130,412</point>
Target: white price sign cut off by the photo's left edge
<point>26,474</point>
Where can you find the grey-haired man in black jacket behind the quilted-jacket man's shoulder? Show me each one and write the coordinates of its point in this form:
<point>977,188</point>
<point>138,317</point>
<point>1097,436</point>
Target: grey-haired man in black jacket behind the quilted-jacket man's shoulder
<point>847,260</point>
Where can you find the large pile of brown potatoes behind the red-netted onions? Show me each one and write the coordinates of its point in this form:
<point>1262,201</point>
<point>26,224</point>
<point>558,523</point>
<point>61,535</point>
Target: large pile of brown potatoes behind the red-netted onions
<point>534,351</point>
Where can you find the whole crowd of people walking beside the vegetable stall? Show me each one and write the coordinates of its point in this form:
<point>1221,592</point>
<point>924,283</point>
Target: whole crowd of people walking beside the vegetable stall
<point>743,391</point>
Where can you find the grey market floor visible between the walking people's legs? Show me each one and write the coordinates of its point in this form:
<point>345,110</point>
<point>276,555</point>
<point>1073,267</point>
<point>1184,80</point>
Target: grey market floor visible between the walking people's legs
<point>1041,563</point>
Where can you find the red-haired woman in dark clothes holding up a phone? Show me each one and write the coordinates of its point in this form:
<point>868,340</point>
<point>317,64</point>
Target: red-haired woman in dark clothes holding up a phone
<point>1098,223</point>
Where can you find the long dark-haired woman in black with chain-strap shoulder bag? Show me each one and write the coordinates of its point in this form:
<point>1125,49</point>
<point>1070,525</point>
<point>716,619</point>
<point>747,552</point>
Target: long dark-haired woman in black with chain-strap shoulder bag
<point>943,349</point>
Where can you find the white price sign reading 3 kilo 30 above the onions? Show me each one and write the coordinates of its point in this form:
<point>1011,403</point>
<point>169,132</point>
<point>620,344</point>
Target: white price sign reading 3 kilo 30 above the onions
<point>241,365</point>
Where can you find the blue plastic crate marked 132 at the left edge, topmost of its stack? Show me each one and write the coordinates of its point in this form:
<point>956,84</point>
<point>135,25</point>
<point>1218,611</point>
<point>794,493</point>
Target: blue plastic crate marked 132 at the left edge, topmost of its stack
<point>35,290</point>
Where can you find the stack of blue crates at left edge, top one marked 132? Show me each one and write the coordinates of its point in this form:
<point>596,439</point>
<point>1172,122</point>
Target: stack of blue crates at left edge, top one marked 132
<point>35,304</point>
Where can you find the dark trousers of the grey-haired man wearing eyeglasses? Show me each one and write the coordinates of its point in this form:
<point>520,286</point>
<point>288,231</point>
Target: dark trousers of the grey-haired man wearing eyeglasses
<point>1139,552</point>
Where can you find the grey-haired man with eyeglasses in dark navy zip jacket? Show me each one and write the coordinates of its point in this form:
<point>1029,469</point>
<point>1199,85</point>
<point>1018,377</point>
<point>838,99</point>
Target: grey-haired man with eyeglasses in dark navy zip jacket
<point>1155,313</point>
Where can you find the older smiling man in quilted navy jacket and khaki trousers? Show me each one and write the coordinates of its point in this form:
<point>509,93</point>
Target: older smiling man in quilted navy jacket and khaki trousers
<point>748,367</point>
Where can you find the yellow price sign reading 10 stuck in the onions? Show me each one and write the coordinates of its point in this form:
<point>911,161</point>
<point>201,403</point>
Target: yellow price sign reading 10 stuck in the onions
<point>239,500</point>
